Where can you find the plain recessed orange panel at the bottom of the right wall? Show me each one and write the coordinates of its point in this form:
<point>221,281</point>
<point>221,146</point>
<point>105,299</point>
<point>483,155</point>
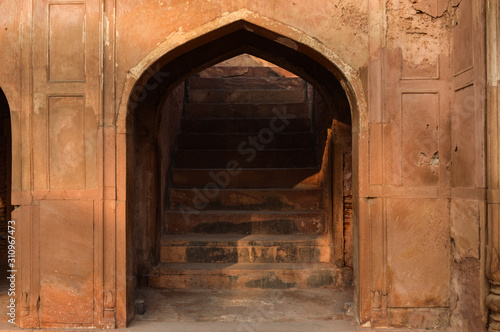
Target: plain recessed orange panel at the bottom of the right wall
<point>418,252</point>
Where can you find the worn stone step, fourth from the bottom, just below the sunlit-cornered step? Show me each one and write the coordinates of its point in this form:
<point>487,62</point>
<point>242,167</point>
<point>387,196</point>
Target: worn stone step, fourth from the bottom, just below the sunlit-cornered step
<point>248,199</point>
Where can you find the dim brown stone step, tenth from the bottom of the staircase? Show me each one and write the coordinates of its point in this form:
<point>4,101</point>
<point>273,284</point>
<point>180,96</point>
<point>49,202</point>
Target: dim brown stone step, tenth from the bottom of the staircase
<point>296,95</point>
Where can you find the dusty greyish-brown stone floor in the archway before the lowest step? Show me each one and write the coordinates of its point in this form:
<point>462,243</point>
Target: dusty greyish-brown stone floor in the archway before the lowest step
<point>245,306</point>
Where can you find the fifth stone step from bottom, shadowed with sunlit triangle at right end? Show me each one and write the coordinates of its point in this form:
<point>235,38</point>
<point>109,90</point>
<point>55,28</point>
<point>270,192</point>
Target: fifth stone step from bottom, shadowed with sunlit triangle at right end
<point>231,177</point>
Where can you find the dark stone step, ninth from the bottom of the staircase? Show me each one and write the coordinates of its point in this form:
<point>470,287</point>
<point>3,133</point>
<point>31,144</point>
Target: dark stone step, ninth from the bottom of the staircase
<point>254,110</point>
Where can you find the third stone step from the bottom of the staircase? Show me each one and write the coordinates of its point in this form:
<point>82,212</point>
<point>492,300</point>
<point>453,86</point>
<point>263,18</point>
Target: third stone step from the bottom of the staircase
<point>200,221</point>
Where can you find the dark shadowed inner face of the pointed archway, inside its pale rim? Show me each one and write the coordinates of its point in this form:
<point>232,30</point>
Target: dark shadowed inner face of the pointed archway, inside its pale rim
<point>166,73</point>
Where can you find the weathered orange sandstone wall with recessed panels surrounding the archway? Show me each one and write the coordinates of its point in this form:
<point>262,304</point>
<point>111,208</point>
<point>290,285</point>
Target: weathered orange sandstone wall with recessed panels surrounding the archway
<point>415,75</point>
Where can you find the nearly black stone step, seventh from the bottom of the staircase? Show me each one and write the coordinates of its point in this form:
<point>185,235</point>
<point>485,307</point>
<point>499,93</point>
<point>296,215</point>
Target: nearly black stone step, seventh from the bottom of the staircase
<point>297,140</point>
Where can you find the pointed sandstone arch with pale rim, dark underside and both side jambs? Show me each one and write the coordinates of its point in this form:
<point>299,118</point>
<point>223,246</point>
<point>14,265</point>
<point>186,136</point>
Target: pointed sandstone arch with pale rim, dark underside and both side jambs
<point>243,31</point>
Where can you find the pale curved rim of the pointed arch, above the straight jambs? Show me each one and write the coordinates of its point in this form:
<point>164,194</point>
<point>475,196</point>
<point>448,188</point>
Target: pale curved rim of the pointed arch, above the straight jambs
<point>180,43</point>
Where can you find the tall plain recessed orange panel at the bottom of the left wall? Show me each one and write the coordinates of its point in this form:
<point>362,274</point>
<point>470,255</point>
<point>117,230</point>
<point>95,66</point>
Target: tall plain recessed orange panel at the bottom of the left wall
<point>66,261</point>
